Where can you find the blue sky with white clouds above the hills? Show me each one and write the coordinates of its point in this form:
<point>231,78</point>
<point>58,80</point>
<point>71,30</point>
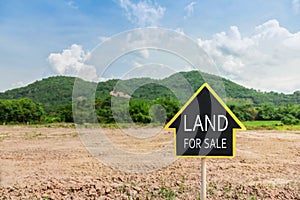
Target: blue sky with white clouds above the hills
<point>255,43</point>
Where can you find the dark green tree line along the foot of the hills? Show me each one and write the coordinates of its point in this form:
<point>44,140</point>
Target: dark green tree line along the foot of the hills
<point>159,110</point>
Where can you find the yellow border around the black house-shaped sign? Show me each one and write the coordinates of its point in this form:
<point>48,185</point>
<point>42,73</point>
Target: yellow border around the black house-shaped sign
<point>205,85</point>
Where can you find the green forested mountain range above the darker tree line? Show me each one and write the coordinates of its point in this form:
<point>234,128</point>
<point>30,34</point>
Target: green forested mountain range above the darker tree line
<point>54,92</point>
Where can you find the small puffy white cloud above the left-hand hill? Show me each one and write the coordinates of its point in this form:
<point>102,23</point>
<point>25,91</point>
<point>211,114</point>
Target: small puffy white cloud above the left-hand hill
<point>71,62</point>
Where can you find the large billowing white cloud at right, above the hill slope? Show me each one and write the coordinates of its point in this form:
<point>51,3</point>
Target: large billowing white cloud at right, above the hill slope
<point>267,60</point>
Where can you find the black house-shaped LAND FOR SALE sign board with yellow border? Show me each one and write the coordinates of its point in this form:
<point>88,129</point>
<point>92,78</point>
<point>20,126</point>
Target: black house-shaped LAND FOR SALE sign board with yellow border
<point>205,127</point>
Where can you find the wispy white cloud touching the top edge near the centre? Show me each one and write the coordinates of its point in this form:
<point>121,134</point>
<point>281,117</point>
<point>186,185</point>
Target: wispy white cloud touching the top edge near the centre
<point>143,13</point>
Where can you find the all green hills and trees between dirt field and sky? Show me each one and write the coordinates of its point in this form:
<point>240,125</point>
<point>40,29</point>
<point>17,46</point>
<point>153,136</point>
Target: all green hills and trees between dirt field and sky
<point>50,100</point>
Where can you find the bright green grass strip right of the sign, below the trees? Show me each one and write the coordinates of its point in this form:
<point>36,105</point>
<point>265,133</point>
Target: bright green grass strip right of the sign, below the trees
<point>269,125</point>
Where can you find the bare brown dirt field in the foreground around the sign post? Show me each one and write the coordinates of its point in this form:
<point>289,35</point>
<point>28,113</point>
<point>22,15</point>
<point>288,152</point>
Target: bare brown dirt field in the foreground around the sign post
<point>53,163</point>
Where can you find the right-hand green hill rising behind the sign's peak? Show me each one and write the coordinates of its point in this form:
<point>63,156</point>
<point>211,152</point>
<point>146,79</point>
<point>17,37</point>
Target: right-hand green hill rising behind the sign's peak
<point>233,92</point>
